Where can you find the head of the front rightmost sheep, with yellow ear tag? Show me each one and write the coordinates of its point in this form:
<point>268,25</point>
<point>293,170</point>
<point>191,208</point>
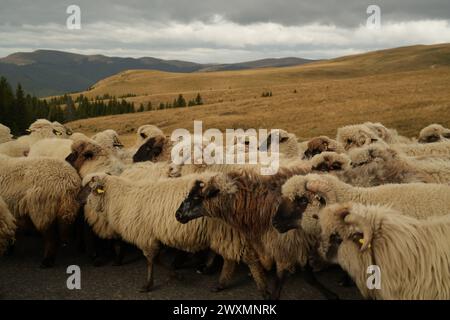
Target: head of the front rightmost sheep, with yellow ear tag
<point>343,223</point>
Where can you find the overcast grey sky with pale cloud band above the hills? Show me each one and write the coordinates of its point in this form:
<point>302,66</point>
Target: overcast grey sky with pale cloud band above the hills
<point>221,30</point>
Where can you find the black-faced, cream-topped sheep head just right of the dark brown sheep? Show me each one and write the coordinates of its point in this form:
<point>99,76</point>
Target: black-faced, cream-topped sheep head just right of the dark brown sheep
<point>300,193</point>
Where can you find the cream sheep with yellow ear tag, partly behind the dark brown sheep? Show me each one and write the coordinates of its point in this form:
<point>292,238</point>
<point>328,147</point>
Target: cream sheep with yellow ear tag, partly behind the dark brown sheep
<point>144,214</point>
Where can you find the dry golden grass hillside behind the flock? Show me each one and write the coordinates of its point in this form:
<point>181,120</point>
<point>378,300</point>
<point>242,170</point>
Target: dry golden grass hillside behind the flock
<point>405,88</point>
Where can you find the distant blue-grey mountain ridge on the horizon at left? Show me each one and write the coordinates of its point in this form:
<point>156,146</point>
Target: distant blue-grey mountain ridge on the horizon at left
<point>48,72</point>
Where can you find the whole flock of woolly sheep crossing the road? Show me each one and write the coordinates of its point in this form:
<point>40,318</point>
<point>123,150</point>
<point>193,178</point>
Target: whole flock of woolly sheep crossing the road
<point>368,197</point>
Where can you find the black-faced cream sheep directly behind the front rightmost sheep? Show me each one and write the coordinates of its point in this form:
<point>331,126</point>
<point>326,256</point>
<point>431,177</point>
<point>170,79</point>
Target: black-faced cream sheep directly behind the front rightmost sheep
<point>419,200</point>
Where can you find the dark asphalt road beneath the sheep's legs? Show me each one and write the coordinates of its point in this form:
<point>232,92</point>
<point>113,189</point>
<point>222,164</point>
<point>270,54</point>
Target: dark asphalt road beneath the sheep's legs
<point>21,278</point>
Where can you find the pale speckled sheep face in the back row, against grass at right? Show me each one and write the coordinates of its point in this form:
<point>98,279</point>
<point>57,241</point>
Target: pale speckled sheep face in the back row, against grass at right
<point>356,136</point>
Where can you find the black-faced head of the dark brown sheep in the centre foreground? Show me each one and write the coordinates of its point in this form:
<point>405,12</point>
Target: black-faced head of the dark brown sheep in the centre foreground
<point>203,190</point>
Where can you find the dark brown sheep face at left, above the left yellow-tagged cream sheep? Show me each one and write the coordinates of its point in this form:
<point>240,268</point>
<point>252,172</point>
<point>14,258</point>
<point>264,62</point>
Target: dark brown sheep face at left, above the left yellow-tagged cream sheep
<point>88,157</point>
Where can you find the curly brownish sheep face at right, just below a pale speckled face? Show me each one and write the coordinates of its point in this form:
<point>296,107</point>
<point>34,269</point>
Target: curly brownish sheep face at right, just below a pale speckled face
<point>375,154</point>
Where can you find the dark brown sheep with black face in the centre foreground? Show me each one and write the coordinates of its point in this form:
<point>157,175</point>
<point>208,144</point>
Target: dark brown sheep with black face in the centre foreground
<point>250,210</point>
